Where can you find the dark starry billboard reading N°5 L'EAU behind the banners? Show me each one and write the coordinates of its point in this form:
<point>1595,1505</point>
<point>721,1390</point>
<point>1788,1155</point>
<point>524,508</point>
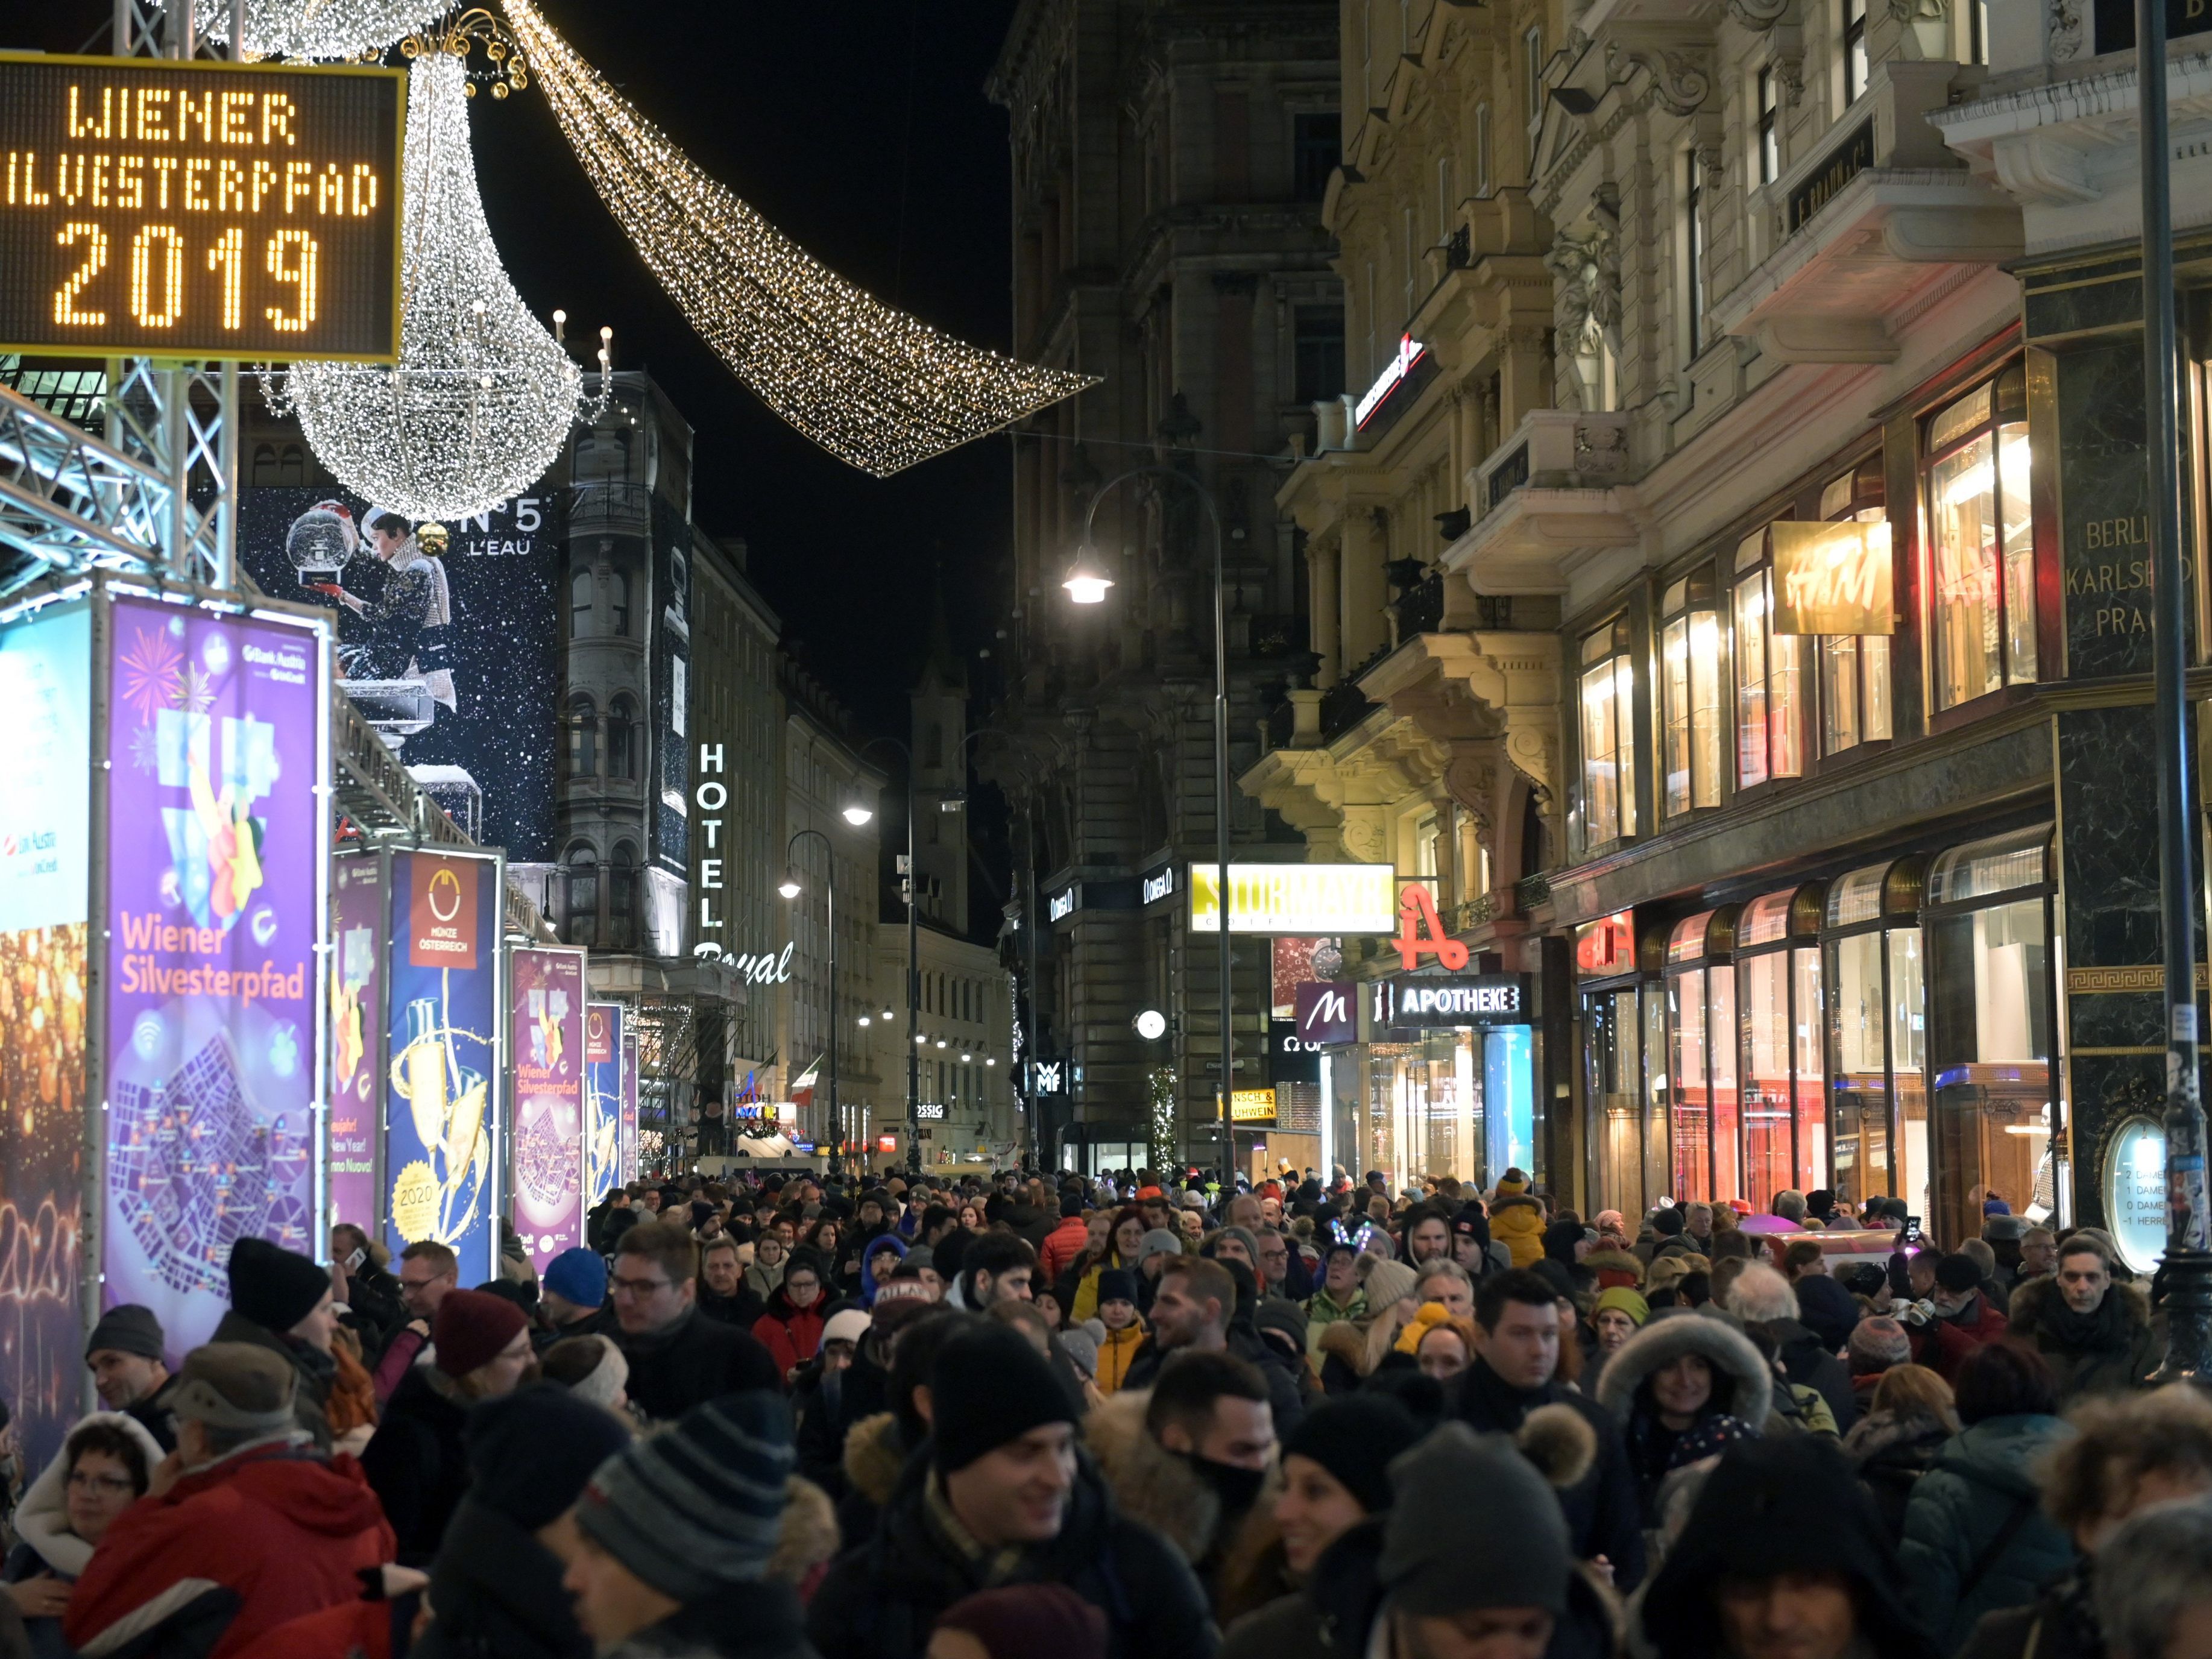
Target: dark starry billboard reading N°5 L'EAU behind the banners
<point>448,640</point>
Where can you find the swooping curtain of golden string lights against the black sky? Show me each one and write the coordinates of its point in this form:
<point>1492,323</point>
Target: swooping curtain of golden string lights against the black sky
<point>873,386</point>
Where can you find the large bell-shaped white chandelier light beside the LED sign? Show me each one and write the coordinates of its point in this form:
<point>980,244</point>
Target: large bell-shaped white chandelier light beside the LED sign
<point>483,397</point>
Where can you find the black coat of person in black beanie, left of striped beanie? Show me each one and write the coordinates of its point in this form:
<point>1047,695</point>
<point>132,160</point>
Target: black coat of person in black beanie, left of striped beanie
<point>497,1594</point>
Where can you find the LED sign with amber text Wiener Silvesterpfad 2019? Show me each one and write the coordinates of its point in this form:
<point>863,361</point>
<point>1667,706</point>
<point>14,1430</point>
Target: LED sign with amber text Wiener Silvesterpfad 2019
<point>200,209</point>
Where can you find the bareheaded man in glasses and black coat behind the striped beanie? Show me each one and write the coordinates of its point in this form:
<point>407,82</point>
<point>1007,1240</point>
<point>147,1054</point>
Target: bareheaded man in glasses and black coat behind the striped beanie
<point>678,1357</point>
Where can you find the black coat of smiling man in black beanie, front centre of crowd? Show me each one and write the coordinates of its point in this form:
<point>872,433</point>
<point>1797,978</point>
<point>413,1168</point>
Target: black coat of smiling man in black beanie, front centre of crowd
<point>884,1598</point>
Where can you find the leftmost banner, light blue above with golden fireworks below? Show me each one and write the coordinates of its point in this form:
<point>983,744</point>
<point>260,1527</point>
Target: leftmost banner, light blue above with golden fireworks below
<point>45,822</point>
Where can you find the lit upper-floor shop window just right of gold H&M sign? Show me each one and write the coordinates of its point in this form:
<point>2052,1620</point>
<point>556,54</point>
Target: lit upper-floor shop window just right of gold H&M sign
<point>1981,543</point>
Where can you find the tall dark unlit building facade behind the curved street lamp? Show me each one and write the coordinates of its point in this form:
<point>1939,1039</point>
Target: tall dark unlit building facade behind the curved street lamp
<point>1169,163</point>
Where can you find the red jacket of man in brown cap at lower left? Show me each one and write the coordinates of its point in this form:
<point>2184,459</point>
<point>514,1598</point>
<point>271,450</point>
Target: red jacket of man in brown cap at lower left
<point>260,1538</point>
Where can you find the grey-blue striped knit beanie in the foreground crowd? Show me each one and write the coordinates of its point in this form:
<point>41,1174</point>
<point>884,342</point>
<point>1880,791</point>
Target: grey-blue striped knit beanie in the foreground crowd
<point>696,1507</point>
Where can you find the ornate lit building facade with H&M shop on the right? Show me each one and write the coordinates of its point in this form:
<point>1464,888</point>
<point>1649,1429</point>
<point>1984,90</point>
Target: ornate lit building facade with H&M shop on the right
<point>1722,598</point>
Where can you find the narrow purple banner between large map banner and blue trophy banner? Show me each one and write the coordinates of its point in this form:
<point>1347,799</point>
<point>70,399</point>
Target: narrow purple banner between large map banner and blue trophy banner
<point>357,1036</point>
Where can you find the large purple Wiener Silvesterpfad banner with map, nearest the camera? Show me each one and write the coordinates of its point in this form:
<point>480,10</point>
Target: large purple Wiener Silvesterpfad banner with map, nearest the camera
<point>216,831</point>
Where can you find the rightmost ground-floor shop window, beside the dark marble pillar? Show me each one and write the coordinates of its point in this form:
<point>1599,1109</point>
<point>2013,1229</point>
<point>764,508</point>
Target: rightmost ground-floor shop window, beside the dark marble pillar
<point>1990,1027</point>
